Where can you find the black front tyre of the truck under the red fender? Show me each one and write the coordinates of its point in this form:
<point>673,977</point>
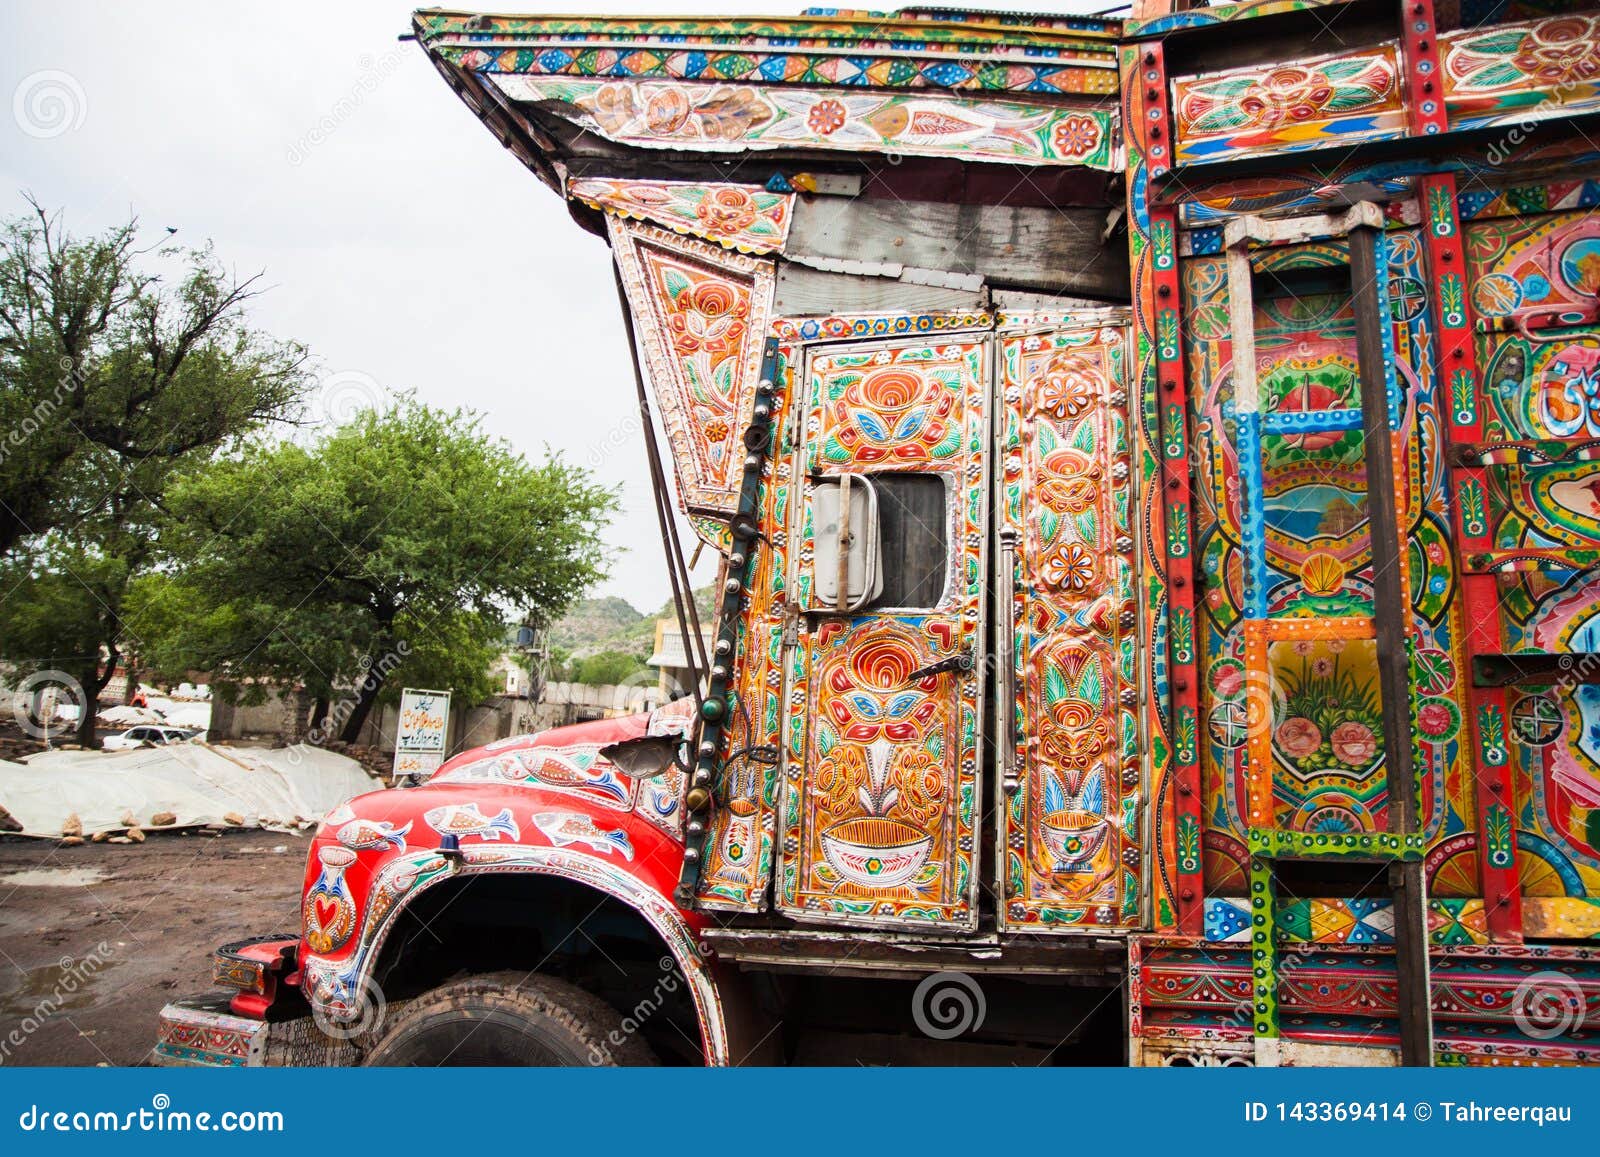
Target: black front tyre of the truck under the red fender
<point>514,1020</point>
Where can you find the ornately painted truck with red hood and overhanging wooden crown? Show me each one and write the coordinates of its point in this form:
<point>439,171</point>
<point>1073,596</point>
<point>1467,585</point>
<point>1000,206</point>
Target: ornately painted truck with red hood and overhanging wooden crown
<point>1153,463</point>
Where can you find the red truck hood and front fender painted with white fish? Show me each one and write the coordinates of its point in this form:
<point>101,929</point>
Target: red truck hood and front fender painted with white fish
<point>546,804</point>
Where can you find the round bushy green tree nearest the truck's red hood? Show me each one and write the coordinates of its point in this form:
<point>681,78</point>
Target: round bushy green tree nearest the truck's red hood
<point>393,550</point>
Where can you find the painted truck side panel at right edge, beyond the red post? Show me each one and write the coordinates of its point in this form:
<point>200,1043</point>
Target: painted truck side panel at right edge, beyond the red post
<point>1534,282</point>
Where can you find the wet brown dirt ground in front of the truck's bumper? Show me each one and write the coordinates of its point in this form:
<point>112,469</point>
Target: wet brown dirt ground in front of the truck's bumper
<point>159,910</point>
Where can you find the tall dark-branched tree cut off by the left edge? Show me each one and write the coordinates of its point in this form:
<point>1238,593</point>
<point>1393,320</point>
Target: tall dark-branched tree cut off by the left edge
<point>113,378</point>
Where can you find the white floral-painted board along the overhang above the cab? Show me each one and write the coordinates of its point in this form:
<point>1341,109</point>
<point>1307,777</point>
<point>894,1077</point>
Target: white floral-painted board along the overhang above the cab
<point>660,114</point>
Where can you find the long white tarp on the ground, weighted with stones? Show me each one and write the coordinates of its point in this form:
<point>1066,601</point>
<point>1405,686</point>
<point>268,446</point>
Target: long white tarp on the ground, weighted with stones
<point>199,783</point>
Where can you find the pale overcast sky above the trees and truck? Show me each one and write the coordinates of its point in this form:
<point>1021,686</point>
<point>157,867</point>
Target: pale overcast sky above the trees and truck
<point>401,242</point>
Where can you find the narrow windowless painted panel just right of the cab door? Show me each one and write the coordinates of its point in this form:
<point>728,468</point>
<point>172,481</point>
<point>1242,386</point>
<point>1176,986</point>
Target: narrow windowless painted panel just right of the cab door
<point>1071,833</point>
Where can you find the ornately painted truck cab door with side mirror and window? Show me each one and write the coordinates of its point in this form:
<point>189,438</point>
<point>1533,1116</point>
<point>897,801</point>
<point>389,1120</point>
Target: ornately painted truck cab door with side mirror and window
<point>881,803</point>
